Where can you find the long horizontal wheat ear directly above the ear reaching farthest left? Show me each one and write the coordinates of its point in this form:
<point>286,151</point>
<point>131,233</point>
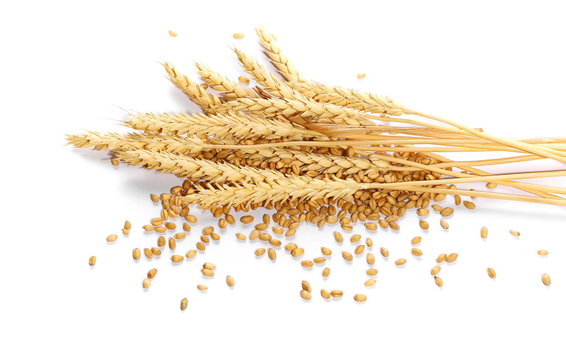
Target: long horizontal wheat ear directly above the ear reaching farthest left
<point>222,126</point>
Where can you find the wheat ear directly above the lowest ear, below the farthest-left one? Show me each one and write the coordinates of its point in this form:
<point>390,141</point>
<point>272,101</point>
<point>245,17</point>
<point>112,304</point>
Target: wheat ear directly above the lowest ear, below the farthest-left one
<point>197,169</point>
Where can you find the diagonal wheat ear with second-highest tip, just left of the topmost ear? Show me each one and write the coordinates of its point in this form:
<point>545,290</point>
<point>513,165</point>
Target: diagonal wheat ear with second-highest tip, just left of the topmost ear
<point>272,84</point>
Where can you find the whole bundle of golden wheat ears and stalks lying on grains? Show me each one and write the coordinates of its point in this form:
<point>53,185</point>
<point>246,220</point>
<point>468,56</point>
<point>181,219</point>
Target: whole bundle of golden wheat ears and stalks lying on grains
<point>306,149</point>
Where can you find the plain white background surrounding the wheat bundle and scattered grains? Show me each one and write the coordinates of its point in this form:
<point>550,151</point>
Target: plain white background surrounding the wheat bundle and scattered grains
<point>68,67</point>
